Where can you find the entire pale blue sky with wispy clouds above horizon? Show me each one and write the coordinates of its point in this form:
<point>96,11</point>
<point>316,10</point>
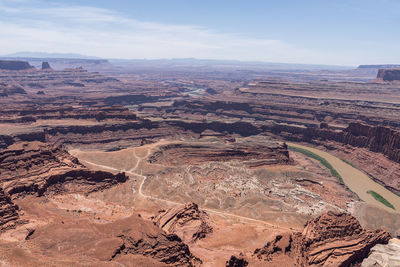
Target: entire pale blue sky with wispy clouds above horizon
<point>332,32</point>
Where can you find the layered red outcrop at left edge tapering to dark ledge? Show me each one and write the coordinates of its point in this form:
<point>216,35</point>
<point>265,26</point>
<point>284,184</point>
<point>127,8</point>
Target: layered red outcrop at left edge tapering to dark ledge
<point>37,168</point>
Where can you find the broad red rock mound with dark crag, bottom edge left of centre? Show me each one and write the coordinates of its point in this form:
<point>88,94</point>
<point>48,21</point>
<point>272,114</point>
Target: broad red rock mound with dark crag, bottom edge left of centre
<point>93,243</point>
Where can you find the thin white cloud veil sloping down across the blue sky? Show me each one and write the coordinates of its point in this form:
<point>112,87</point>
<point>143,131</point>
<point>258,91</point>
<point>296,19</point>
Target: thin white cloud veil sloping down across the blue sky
<point>106,33</point>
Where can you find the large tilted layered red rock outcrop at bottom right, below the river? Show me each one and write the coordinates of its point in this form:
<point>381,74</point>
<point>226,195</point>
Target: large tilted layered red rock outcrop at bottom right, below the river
<point>333,239</point>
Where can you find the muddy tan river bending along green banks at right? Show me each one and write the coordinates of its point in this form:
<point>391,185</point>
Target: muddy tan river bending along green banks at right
<point>356,180</point>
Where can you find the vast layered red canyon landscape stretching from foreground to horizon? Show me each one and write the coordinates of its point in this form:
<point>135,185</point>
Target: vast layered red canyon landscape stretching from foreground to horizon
<point>167,164</point>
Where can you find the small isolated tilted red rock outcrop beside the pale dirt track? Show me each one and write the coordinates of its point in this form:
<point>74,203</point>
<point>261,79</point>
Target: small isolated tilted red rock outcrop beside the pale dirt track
<point>188,222</point>
